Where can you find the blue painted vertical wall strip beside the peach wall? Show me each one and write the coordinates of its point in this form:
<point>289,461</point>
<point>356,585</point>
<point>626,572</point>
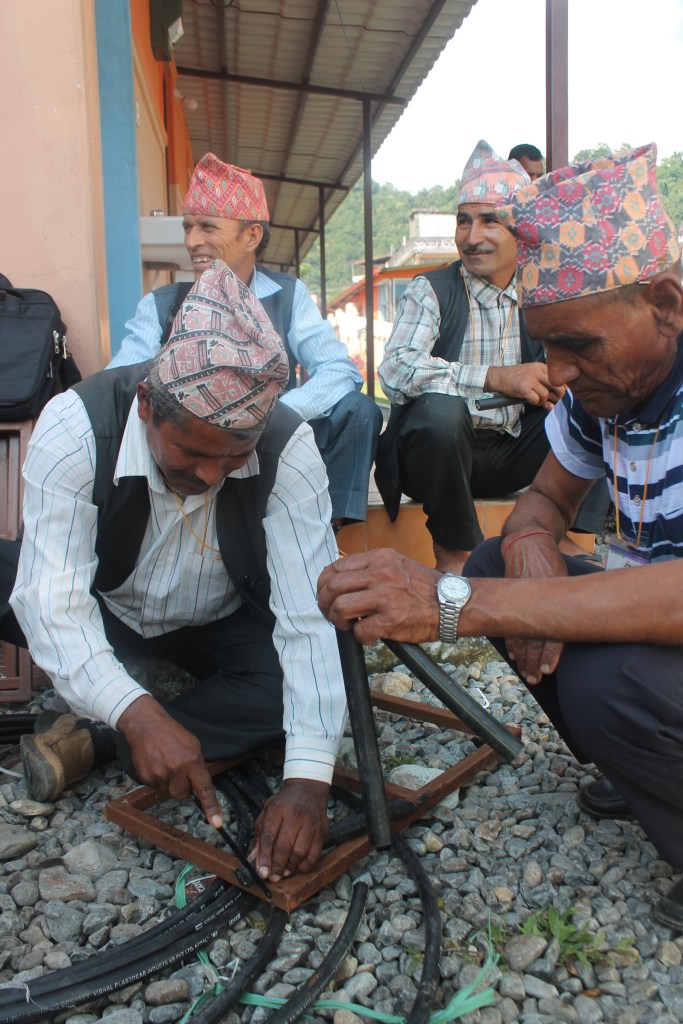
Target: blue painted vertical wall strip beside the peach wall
<point>117,110</point>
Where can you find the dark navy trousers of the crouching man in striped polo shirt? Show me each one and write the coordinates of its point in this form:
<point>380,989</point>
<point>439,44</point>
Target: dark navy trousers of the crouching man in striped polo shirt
<point>620,706</point>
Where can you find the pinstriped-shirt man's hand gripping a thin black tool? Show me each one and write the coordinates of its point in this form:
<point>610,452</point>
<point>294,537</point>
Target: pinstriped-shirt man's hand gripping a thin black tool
<point>167,757</point>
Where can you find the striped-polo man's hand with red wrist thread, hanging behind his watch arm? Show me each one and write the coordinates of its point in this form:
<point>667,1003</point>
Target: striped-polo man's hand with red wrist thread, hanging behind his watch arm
<point>536,558</point>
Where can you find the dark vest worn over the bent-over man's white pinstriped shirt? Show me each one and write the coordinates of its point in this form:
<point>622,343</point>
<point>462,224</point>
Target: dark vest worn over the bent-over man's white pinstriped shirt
<point>123,510</point>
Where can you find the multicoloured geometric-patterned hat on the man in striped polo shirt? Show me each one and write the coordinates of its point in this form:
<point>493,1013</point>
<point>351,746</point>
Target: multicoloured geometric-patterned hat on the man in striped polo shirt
<point>590,228</point>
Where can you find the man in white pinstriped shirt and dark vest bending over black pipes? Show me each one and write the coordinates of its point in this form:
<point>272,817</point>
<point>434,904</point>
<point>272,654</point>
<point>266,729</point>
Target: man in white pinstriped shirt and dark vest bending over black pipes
<point>177,509</point>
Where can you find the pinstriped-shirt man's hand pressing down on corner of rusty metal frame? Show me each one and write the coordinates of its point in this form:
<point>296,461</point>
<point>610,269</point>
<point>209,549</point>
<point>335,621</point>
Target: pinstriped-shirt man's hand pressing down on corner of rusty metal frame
<point>291,830</point>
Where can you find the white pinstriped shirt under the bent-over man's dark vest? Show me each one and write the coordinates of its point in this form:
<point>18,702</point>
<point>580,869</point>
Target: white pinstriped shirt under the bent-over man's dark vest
<point>174,584</point>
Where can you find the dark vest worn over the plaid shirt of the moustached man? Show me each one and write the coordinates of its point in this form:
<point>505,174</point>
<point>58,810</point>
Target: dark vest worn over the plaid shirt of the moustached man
<point>449,287</point>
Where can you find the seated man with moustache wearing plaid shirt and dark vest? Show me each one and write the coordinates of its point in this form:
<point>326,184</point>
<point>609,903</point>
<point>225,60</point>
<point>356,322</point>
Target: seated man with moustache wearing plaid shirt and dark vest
<point>457,339</point>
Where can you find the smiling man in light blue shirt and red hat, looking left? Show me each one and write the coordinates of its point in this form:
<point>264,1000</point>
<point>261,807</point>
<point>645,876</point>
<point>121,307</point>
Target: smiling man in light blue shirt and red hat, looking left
<point>226,217</point>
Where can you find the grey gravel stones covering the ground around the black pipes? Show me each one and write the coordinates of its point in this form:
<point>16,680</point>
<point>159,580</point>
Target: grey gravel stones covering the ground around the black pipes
<point>511,843</point>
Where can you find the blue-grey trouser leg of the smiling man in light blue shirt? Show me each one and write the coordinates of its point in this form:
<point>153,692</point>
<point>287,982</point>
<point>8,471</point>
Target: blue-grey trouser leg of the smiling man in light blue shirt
<point>348,441</point>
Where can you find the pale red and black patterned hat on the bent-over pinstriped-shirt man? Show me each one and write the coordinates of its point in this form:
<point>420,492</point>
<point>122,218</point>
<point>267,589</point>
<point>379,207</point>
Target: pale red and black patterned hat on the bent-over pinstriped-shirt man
<point>224,362</point>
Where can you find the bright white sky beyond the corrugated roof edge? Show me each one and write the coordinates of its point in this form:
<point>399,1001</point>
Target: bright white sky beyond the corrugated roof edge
<point>625,87</point>
